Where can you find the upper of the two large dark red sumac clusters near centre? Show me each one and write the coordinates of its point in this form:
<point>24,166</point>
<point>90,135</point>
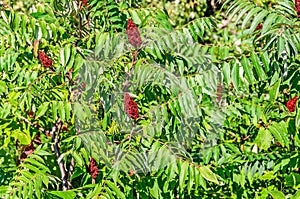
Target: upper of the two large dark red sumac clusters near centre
<point>133,34</point>
